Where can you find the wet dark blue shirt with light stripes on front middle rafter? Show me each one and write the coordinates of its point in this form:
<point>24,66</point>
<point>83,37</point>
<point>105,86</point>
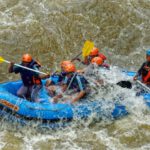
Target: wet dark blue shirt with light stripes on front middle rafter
<point>76,82</point>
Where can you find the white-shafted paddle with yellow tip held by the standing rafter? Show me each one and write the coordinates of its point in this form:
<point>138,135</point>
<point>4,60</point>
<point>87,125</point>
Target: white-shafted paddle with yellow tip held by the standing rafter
<point>6,61</point>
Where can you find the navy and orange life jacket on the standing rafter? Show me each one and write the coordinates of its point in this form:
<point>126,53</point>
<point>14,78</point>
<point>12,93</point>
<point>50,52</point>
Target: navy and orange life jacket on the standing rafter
<point>28,77</point>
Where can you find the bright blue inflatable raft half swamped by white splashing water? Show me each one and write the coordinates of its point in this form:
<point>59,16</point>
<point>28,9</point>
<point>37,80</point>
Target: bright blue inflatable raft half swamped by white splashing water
<point>46,111</point>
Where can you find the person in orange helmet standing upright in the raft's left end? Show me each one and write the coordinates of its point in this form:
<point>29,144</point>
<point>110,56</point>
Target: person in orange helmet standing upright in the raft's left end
<point>31,80</point>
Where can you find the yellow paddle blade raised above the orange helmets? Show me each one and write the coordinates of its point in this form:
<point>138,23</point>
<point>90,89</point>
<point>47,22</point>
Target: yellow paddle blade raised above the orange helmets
<point>88,46</point>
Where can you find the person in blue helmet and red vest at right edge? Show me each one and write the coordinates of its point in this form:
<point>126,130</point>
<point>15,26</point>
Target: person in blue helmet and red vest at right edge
<point>144,71</point>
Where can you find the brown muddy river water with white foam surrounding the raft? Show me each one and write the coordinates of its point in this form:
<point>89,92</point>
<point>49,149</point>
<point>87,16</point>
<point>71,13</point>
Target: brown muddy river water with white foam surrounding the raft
<point>54,30</point>
